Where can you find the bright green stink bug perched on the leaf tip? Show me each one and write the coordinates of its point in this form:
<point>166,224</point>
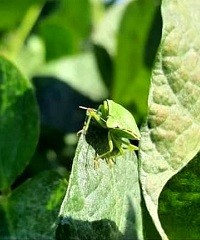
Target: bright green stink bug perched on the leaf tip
<point>121,128</point>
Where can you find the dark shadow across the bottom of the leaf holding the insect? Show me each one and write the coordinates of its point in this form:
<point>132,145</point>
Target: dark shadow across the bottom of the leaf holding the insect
<point>73,229</point>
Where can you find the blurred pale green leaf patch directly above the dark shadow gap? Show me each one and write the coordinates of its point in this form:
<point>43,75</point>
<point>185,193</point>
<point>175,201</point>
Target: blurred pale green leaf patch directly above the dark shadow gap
<point>80,72</point>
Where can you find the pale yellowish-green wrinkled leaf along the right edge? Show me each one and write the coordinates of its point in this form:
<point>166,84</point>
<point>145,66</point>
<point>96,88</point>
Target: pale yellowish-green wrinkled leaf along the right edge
<point>171,137</point>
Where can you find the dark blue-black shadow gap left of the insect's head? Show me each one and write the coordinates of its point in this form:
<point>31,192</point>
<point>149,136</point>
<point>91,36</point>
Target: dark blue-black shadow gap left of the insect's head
<point>59,104</point>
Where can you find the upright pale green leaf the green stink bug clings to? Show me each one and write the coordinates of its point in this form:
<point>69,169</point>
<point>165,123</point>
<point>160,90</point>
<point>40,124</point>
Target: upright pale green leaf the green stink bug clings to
<point>102,203</point>
